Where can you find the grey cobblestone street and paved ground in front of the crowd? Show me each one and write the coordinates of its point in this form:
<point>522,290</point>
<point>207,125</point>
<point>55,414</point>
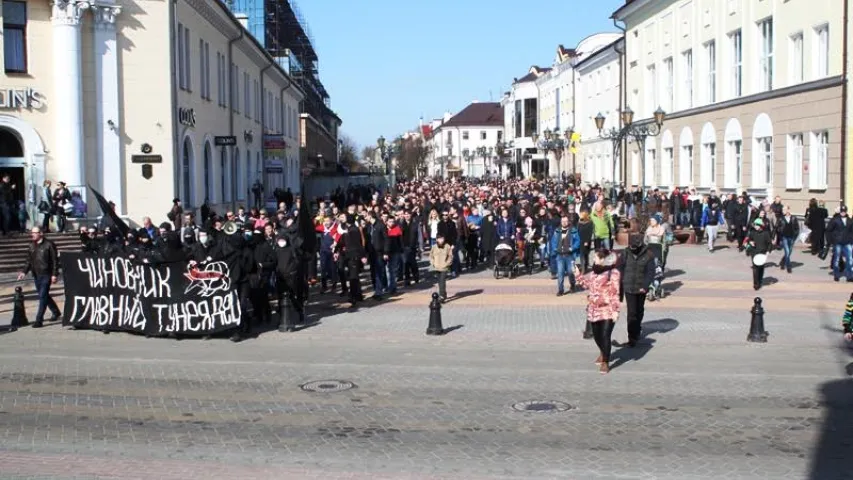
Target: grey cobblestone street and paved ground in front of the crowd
<point>693,401</point>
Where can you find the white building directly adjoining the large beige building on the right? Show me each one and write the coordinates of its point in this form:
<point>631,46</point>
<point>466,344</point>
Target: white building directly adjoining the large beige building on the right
<point>598,91</point>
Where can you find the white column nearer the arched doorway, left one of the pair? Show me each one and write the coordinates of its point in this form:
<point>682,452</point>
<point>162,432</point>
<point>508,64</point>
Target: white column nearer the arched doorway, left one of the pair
<point>67,102</point>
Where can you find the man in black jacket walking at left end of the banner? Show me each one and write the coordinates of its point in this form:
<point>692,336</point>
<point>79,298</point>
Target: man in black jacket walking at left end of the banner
<point>43,262</point>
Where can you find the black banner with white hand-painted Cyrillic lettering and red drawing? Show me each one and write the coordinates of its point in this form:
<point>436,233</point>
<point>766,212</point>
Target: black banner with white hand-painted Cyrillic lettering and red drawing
<point>117,294</point>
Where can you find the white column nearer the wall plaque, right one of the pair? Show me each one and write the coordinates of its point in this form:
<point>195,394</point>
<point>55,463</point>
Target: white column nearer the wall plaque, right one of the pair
<point>107,126</point>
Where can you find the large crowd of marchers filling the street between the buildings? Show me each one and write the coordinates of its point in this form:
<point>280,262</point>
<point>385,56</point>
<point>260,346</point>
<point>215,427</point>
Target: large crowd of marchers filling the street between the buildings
<point>521,226</point>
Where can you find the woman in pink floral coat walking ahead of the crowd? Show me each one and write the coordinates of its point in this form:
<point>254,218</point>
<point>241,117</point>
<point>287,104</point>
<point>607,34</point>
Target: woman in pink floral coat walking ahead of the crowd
<point>602,285</point>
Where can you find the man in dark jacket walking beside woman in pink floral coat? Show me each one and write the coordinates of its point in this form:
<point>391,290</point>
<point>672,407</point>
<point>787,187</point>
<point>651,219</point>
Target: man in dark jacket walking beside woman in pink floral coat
<point>638,272</point>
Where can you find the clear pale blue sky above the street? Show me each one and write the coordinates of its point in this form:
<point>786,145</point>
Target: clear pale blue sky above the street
<point>386,63</point>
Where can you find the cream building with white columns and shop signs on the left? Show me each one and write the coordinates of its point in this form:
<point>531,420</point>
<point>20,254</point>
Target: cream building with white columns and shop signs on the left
<point>143,101</point>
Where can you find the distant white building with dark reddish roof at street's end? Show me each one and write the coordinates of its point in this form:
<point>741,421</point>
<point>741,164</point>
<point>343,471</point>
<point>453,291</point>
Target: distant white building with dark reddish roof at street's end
<point>465,144</point>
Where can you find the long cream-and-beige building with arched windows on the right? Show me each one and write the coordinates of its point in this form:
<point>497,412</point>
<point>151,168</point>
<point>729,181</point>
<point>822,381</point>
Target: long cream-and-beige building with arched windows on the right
<point>752,91</point>
